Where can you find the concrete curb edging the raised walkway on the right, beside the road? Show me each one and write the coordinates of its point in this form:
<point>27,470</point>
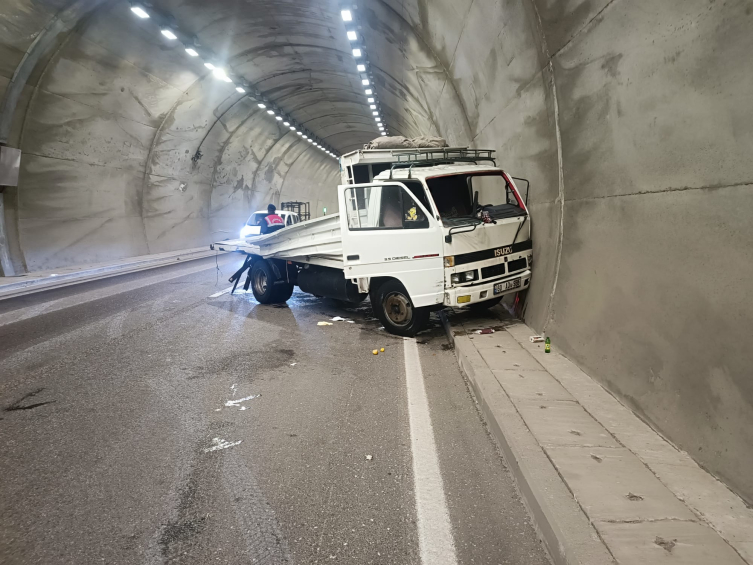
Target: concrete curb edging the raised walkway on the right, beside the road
<point>564,529</point>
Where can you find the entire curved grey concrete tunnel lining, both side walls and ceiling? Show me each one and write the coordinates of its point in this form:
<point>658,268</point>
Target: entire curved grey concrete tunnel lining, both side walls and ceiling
<point>632,120</point>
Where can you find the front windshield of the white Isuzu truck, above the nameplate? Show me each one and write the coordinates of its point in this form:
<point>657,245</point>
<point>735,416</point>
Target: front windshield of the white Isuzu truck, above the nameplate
<point>454,197</point>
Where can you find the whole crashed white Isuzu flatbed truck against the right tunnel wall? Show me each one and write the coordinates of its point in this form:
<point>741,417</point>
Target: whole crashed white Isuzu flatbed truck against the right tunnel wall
<point>427,229</point>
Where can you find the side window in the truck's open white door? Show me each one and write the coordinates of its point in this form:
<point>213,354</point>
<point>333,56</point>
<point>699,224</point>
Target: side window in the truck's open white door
<point>383,207</point>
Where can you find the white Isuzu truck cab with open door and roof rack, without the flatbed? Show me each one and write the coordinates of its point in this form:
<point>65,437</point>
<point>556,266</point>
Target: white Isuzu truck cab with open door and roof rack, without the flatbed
<point>452,230</point>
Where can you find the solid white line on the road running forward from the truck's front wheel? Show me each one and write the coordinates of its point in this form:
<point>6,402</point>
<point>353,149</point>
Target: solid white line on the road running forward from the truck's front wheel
<point>435,540</point>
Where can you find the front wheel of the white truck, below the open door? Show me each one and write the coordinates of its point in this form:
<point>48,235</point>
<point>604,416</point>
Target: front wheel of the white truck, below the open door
<point>394,308</point>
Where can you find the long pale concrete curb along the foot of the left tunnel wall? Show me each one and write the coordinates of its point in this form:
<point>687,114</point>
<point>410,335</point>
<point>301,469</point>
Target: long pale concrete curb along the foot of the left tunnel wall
<point>39,283</point>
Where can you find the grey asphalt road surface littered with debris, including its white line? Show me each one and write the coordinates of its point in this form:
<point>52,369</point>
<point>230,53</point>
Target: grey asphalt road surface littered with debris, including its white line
<point>151,418</point>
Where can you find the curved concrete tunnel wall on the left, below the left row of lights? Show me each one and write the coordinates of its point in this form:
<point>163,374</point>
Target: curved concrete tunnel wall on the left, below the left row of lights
<point>108,129</point>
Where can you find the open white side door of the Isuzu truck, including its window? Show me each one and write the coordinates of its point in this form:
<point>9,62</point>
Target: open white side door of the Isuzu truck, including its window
<point>386,232</point>
